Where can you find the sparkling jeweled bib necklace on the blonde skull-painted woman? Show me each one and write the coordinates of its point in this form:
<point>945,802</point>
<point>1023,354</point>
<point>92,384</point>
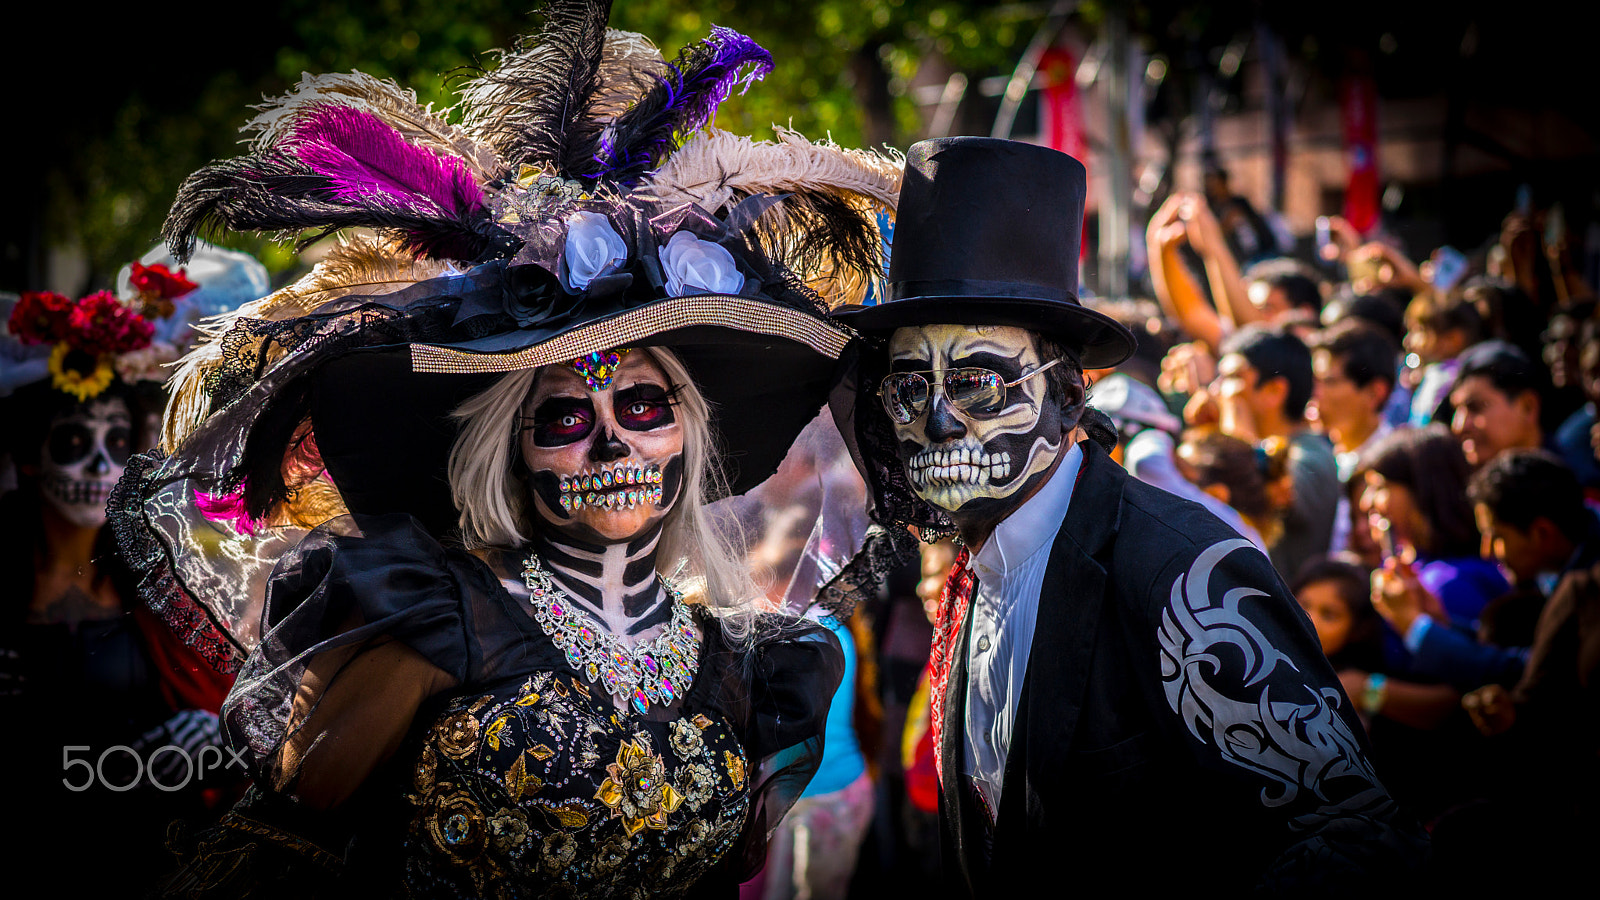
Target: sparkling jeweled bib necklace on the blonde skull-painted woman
<point>655,672</point>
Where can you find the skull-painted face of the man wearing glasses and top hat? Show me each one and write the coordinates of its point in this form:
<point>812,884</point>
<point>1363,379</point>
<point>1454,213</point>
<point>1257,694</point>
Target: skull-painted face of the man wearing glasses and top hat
<point>978,464</point>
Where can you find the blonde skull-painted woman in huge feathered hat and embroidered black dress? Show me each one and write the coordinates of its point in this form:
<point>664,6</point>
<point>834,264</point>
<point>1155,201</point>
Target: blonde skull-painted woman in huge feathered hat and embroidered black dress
<point>490,635</point>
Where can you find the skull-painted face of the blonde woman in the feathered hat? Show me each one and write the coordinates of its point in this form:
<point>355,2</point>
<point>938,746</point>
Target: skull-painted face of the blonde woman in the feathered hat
<point>606,462</point>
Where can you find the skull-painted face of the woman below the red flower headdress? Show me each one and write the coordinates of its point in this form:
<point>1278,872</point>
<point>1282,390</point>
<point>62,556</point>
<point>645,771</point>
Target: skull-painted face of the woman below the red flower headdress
<point>82,459</point>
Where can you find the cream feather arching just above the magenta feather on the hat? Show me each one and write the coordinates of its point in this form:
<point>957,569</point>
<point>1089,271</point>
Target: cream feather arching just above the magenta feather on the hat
<point>385,100</point>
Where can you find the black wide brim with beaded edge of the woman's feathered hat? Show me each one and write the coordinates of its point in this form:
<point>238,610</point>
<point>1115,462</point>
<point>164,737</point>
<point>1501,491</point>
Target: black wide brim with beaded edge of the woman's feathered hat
<point>383,414</point>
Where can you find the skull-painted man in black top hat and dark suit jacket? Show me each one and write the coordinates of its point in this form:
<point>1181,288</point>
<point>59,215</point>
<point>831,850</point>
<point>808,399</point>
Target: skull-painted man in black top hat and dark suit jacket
<point>1124,689</point>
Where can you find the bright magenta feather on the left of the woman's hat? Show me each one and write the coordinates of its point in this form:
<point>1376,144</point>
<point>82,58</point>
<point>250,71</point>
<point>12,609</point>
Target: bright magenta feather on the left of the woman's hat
<point>361,156</point>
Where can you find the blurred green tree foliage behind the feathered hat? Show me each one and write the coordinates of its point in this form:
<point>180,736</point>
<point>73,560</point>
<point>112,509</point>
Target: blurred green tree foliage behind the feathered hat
<point>842,71</point>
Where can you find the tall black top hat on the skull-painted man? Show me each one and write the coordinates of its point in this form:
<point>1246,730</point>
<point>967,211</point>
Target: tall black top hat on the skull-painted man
<point>988,233</point>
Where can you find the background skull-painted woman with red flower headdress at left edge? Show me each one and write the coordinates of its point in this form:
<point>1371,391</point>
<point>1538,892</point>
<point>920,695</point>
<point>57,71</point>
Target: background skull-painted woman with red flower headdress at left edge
<point>84,670</point>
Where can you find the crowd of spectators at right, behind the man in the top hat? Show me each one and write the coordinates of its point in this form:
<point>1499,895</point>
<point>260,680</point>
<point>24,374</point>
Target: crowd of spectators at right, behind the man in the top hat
<point>1417,446</point>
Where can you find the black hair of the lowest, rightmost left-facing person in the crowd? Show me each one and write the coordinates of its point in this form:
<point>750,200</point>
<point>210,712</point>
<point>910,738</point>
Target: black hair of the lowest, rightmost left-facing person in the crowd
<point>1522,486</point>
